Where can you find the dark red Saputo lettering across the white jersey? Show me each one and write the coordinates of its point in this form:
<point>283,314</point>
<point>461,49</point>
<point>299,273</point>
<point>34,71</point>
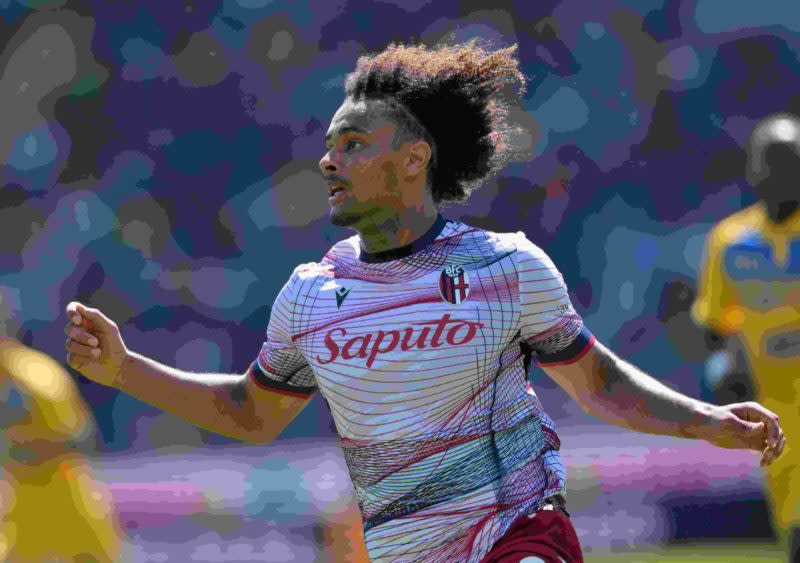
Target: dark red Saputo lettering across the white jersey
<point>419,336</point>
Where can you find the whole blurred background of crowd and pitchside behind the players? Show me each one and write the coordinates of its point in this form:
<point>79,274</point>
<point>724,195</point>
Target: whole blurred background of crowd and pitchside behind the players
<point>158,160</point>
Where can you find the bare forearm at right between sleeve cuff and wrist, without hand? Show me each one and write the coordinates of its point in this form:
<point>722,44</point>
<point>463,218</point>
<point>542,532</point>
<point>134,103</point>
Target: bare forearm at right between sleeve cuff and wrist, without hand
<point>625,396</point>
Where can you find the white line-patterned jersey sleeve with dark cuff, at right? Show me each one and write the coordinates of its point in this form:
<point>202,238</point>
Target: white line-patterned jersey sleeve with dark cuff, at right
<point>549,325</point>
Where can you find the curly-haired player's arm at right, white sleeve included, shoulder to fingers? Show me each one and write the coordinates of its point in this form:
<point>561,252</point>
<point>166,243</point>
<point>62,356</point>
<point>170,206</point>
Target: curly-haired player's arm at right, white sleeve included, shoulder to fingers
<point>610,388</point>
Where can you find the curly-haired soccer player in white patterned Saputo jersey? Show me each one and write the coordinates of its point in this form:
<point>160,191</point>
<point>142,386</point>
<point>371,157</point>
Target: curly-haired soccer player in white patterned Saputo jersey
<point>419,332</point>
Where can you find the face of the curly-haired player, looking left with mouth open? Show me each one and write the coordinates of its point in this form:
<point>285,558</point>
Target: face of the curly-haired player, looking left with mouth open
<point>361,165</point>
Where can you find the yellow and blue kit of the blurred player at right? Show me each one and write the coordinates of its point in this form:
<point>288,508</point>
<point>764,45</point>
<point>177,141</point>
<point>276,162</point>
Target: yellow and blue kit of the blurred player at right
<point>750,289</point>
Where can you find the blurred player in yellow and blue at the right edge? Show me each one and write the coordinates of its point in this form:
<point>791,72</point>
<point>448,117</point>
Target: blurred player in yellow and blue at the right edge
<point>749,299</point>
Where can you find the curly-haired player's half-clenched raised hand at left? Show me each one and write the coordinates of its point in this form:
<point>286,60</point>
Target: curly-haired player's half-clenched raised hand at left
<point>94,344</point>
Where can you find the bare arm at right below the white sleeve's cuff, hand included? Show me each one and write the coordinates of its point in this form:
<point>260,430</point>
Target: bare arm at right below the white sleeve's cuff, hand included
<point>617,392</point>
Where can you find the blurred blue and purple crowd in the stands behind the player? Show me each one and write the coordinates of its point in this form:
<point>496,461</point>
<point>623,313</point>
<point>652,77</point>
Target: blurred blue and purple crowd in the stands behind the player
<point>171,180</point>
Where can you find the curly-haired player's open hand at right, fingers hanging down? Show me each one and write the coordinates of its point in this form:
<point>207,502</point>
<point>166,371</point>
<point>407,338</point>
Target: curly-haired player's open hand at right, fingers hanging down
<point>747,426</point>
